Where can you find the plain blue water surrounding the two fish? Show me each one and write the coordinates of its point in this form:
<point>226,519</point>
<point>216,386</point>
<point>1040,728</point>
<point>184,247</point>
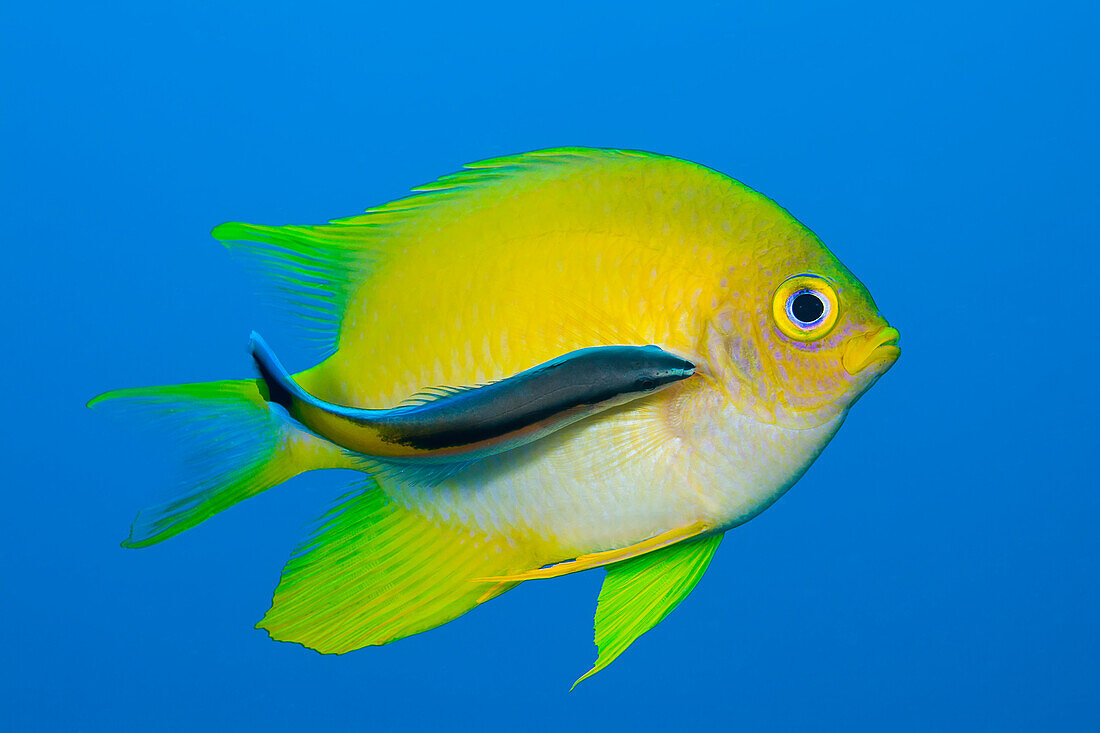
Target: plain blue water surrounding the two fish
<point>937,570</point>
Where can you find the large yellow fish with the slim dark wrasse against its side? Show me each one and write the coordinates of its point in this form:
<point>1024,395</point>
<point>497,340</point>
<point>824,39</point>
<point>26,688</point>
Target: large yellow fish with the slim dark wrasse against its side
<point>518,275</point>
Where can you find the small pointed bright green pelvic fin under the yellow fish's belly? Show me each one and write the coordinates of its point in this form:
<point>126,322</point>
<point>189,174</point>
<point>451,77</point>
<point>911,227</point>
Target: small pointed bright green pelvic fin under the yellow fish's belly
<point>641,593</point>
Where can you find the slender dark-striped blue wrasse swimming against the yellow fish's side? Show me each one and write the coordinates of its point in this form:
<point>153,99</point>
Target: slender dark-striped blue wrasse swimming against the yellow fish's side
<point>468,423</point>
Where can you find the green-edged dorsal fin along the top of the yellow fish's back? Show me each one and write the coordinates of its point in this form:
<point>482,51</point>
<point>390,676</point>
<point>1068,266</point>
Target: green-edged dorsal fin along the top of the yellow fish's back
<point>312,272</point>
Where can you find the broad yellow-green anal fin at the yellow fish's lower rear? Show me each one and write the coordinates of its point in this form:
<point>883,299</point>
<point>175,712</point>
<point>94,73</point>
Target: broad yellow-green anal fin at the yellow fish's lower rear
<point>376,573</point>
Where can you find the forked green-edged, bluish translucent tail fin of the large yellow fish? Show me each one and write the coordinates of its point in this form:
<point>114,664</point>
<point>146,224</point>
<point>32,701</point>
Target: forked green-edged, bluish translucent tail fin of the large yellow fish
<point>234,447</point>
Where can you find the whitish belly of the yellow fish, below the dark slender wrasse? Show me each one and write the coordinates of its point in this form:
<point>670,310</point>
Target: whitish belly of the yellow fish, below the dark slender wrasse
<point>621,478</point>
